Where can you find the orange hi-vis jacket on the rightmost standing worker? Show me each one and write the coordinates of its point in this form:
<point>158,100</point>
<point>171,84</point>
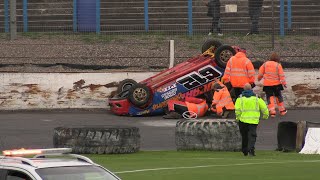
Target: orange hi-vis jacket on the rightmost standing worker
<point>272,73</point>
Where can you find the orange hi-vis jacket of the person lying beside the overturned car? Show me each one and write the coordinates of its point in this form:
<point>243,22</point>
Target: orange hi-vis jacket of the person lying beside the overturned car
<point>197,105</point>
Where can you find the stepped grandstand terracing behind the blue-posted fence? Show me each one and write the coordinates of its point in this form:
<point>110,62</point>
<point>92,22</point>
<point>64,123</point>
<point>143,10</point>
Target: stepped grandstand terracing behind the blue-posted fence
<point>171,16</point>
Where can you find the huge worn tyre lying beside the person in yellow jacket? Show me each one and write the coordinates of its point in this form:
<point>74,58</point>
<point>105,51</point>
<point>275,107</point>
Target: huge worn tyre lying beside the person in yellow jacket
<point>213,135</point>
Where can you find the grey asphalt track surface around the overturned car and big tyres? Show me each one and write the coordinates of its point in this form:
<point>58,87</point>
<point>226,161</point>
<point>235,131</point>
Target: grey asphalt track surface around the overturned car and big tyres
<point>34,129</point>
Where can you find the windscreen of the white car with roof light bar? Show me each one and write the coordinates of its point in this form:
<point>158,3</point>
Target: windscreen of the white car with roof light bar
<point>75,173</point>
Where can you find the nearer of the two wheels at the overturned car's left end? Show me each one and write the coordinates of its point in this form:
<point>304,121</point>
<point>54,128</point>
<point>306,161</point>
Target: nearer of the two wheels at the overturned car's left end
<point>139,95</point>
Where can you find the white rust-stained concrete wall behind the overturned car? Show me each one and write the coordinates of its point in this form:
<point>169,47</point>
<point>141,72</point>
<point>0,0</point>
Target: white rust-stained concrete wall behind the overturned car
<point>91,90</point>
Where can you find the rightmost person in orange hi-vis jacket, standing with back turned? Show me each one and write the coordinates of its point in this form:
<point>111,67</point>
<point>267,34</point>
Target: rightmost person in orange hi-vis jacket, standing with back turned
<point>273,83</point>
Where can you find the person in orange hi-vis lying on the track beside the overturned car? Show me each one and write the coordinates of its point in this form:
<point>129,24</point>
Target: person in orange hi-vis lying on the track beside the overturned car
<point>177,108</point>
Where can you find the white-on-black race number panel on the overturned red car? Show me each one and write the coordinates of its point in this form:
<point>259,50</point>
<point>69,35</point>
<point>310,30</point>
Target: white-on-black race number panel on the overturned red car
<point>194,79</point>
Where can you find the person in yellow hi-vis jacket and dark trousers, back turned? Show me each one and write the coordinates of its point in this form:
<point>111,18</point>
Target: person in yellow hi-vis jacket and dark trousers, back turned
<point>248,108</point>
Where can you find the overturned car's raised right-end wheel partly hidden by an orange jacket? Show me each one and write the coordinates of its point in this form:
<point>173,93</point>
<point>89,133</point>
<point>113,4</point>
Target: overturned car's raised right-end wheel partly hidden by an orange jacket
<point>223,54</point>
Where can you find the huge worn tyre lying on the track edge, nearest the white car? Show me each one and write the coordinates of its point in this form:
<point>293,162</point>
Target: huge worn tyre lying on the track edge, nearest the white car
<point>98,140</point>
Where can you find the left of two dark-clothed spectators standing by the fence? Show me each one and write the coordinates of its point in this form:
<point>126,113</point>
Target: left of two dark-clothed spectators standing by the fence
<point>214,12</point>
